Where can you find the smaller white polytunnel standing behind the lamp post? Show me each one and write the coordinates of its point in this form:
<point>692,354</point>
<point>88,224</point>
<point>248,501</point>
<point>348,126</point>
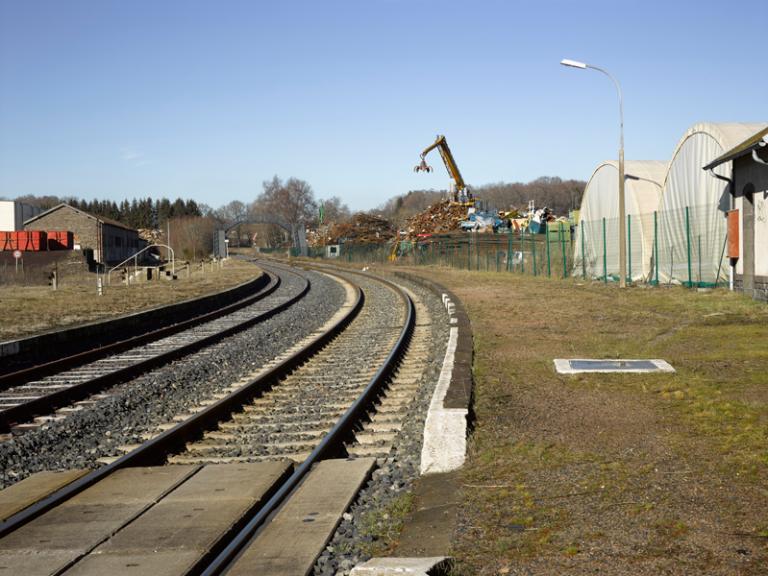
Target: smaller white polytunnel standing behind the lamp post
<point>596,241</point>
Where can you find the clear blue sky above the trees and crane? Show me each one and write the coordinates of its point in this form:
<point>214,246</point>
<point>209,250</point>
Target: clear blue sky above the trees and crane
<point>205,100</point>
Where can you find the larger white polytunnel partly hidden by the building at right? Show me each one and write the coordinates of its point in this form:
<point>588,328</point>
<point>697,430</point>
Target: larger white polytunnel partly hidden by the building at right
<point>694,202</point>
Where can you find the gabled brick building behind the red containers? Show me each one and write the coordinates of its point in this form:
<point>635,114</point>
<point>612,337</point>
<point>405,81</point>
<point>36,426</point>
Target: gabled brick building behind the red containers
<point>111,241</point>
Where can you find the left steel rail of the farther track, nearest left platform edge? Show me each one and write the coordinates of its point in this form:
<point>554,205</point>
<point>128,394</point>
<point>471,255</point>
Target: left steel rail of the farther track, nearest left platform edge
<point>53,366</point>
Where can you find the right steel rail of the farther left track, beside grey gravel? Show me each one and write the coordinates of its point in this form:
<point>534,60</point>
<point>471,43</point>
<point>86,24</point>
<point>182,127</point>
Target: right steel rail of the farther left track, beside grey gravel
<point>45,404</point>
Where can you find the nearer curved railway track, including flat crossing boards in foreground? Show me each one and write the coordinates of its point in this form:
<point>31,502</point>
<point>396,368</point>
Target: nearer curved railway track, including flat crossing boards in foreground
<point>292,442</point>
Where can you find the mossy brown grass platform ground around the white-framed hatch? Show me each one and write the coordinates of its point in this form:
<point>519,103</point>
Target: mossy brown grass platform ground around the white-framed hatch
<point>614,474</point>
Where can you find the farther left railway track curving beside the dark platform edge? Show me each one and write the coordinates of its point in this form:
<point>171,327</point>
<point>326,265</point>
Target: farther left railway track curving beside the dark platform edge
<point>28,400</point>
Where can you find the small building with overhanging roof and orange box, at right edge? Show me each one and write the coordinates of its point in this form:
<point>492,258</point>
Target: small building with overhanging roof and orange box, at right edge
<point>749,192</point>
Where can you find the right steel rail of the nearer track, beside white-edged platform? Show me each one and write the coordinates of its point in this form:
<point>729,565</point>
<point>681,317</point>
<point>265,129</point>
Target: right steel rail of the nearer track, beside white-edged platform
<point>331,446</point>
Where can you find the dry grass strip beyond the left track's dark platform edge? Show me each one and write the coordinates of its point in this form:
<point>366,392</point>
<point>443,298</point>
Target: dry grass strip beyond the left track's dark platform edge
<point>28,310</point>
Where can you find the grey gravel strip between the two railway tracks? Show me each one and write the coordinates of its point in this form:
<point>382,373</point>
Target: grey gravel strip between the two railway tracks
<point>134,408</point>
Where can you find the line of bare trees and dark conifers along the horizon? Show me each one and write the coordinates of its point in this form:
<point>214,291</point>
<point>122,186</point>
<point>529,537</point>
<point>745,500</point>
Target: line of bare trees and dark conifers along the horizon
<point>192,225</point>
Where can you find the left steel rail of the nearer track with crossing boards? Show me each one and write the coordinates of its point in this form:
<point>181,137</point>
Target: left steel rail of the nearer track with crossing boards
<point>157,450</point>
